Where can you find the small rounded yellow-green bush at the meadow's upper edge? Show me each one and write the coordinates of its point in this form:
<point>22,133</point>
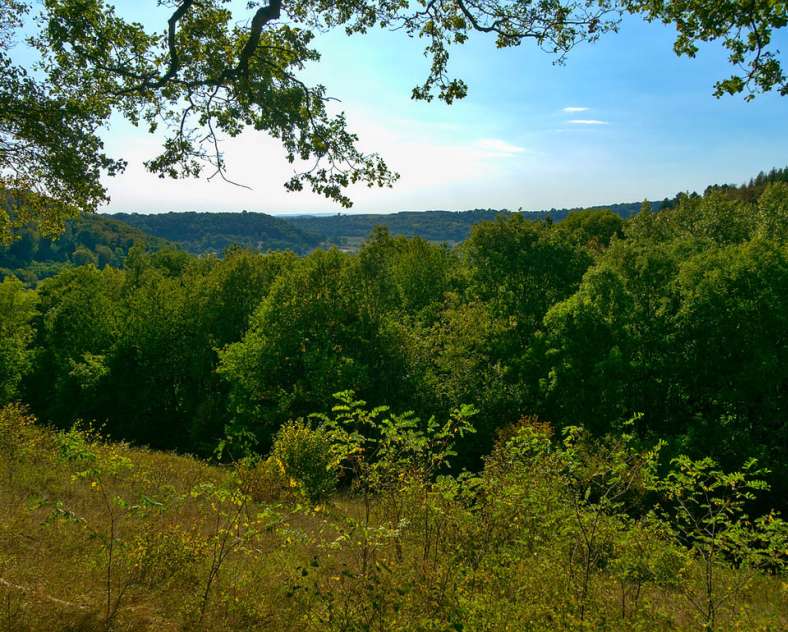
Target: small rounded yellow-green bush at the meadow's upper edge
<point>305,455</point>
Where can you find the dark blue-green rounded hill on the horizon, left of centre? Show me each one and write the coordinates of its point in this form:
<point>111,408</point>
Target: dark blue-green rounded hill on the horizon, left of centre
<point>201,233</point>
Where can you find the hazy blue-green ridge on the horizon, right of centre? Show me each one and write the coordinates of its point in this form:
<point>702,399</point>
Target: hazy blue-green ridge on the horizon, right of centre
<point>442,226</point>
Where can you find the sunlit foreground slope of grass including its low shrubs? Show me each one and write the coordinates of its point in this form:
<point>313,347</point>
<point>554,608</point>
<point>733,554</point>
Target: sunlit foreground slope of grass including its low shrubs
<point>103,536</point>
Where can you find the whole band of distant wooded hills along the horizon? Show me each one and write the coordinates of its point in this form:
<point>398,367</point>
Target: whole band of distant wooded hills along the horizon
<point>106,239</point>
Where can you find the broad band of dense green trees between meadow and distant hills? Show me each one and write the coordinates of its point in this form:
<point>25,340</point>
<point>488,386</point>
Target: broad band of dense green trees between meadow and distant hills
<point>677,318</point>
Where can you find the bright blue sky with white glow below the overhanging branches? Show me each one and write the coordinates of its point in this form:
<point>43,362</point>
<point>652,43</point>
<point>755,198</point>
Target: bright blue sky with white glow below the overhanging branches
<point>651,128</point>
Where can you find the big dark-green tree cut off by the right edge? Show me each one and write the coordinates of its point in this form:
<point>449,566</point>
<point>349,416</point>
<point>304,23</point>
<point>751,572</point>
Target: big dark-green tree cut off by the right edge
<point>730,330</point>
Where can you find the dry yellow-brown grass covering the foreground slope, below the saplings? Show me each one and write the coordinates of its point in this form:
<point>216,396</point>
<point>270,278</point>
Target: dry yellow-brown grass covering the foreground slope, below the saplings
<point>191,552</point>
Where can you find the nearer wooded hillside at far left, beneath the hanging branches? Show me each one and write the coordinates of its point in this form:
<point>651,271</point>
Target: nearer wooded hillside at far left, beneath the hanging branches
<point>95,239</point>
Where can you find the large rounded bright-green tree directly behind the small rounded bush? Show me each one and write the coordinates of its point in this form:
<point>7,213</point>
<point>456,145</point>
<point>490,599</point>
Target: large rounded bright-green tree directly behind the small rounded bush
<point>313,335</point>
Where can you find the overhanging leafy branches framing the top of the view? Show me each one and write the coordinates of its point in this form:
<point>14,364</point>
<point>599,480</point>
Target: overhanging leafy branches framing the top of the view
<point>211,72</point>
